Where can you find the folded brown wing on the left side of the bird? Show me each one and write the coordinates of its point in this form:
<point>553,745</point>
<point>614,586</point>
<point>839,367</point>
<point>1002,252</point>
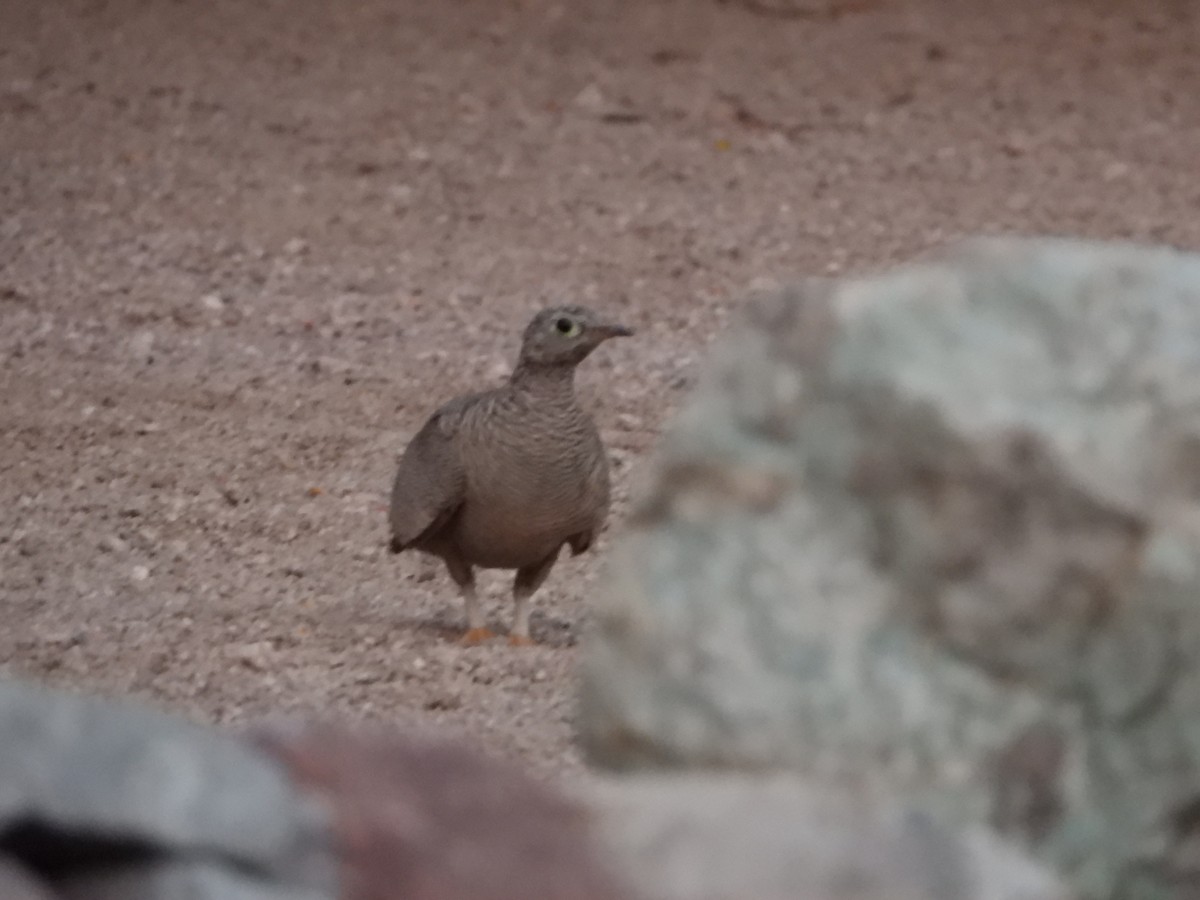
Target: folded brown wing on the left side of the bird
<point>430,482</point>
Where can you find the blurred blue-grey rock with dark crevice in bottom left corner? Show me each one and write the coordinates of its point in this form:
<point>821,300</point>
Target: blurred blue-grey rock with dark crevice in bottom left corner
<point>89,784</point>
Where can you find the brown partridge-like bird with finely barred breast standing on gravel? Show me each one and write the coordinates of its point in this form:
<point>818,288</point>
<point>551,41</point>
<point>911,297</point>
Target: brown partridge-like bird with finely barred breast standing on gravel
<point>505,478</point>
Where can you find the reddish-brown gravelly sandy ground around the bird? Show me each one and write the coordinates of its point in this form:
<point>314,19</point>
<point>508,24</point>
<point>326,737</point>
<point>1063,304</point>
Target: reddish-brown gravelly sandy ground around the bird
<point>245,248</point>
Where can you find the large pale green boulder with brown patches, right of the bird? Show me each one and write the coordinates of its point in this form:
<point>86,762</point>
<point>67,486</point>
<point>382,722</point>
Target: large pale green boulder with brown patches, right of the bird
<point>937,532</point>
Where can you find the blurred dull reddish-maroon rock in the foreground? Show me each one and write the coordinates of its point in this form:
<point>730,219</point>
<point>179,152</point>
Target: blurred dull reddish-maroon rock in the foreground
<point>422,819</point>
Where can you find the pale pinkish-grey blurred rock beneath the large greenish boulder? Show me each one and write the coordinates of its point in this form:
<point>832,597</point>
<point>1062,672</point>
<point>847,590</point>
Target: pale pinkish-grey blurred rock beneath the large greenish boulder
<point>778,838</point>
